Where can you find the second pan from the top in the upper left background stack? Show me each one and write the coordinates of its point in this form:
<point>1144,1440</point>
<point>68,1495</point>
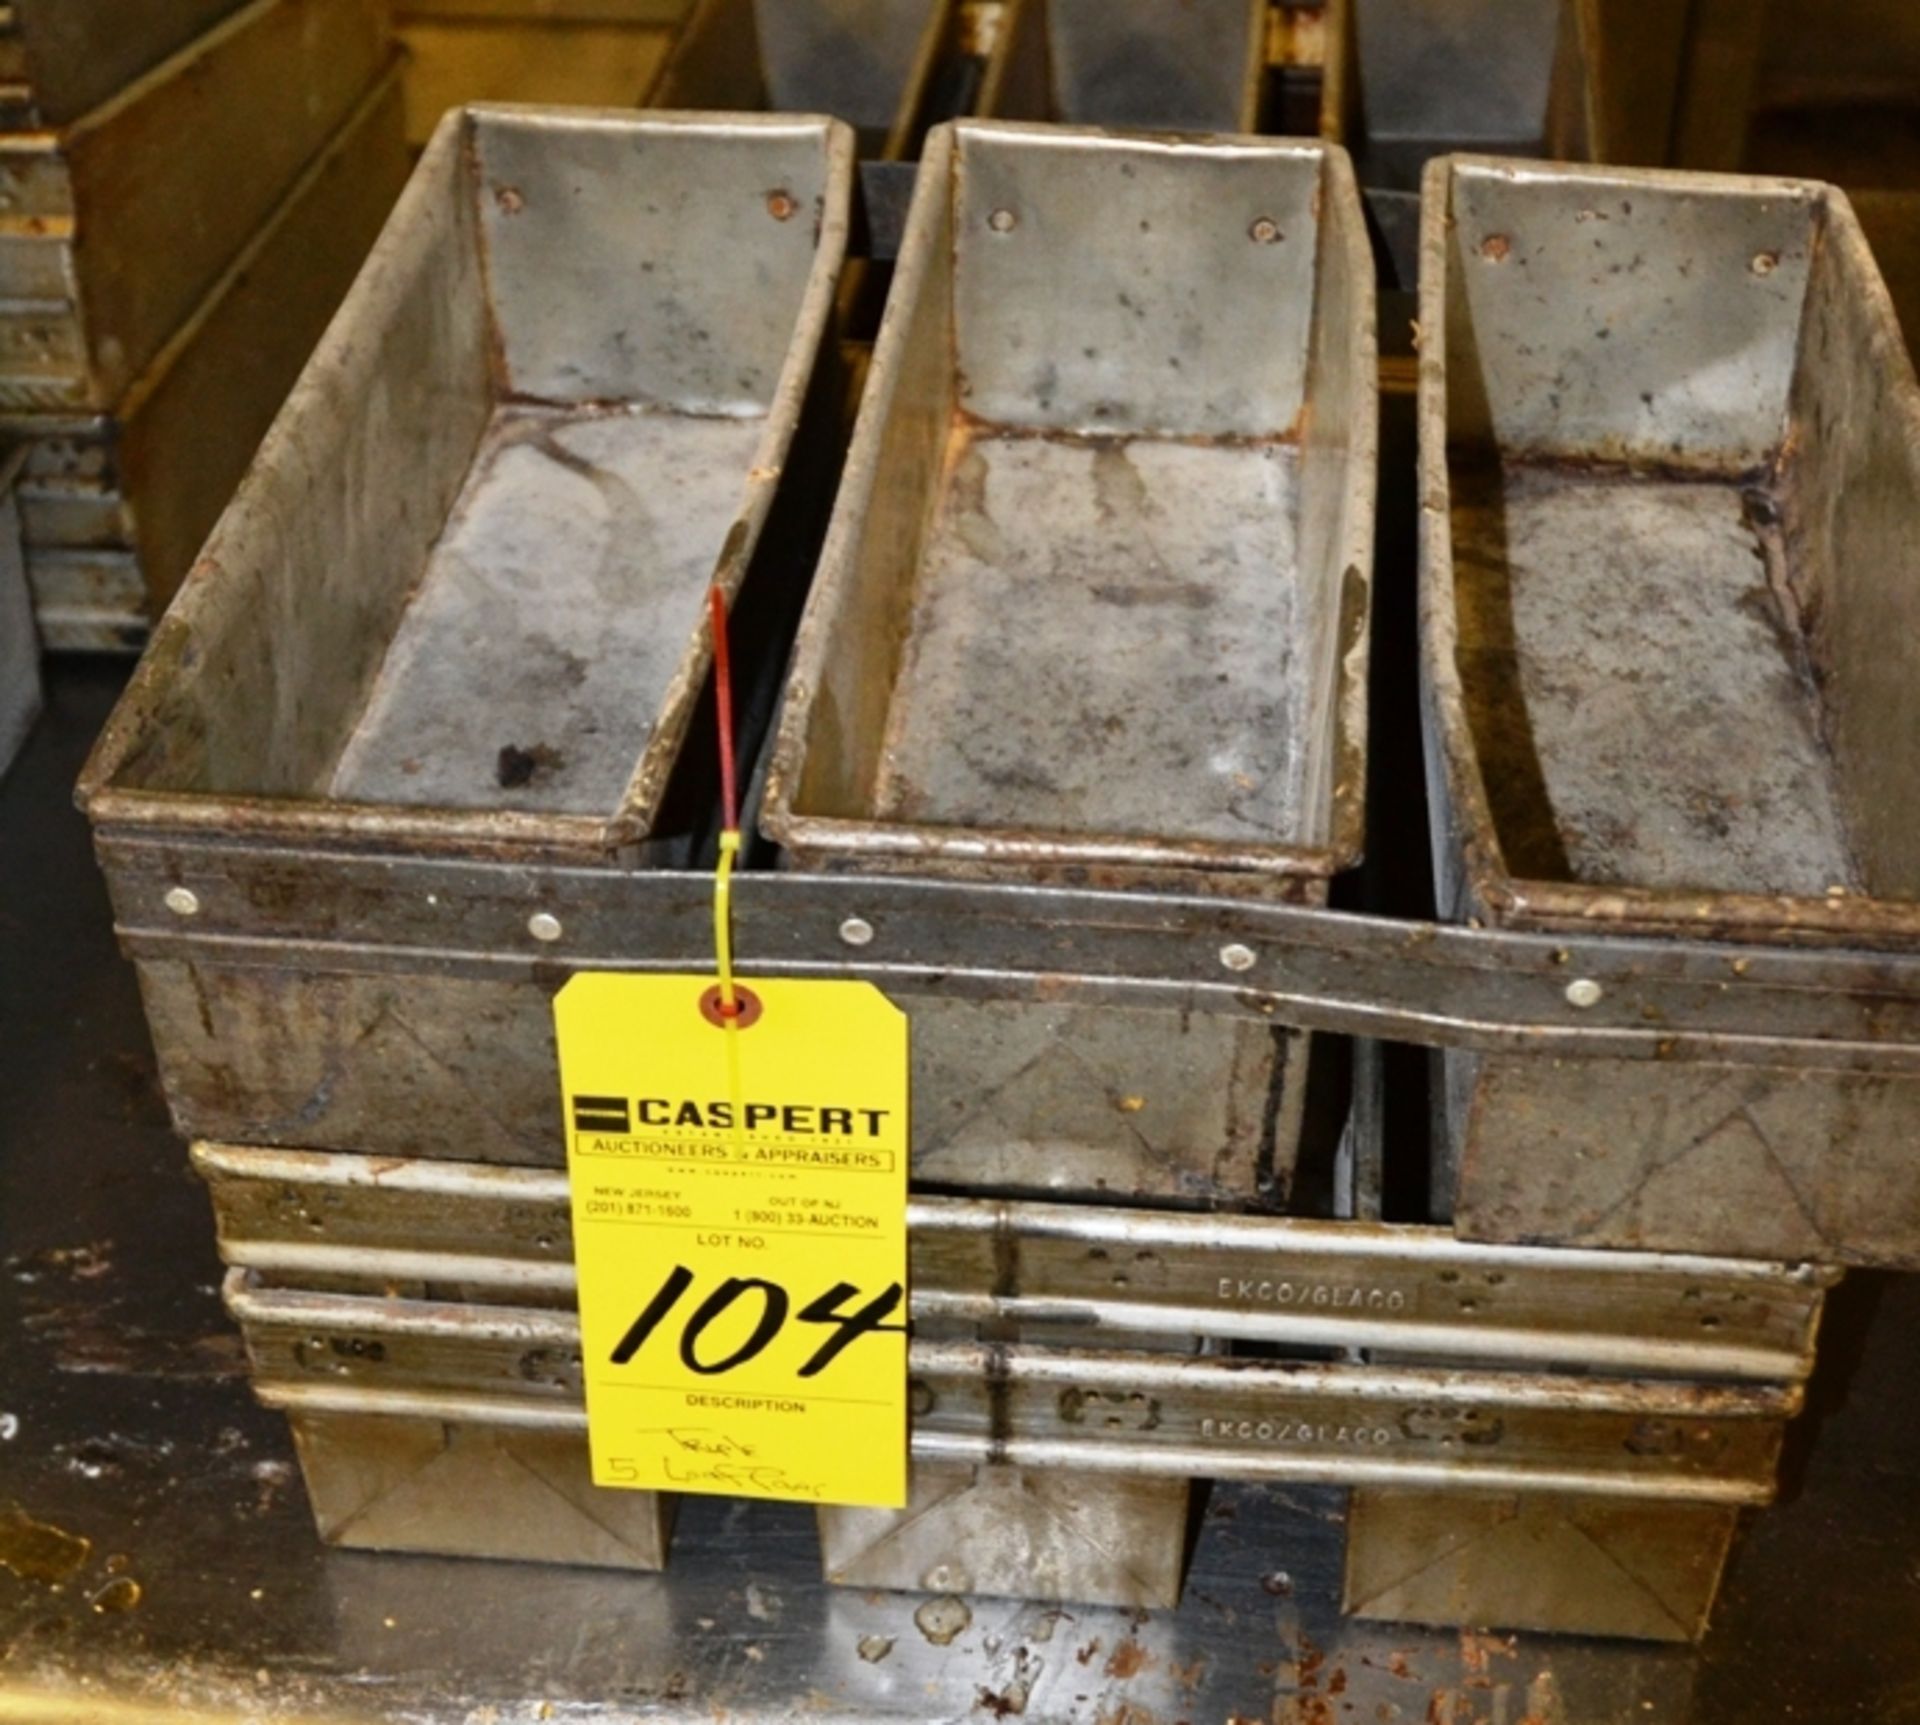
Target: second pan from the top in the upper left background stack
<point>118,226</point>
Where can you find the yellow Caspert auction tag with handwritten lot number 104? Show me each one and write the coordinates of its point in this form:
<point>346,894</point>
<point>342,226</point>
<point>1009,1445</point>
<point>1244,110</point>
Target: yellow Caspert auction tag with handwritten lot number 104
<point>740,1227</point>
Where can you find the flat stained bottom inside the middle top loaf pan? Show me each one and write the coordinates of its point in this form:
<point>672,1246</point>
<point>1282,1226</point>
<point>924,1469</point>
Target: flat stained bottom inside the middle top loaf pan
<point>1105,641</point>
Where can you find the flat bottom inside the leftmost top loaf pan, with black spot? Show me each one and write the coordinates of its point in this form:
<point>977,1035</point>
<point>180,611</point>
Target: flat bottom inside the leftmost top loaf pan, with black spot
<point>554,612</point>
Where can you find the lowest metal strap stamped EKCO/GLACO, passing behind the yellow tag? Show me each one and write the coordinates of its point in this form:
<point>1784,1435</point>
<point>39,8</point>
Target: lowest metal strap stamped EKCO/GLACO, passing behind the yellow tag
<point>1067,1407</point>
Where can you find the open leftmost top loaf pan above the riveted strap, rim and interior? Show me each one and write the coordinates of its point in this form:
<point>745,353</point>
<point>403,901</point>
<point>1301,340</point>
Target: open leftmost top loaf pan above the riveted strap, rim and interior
<point>460,604</point>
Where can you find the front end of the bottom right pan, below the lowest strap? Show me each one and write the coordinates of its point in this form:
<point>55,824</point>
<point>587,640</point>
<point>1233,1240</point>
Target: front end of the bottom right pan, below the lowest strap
<point>1537,1563</point>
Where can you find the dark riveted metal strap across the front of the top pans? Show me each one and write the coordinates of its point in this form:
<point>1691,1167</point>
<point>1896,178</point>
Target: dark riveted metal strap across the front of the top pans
<point>1332,971</point>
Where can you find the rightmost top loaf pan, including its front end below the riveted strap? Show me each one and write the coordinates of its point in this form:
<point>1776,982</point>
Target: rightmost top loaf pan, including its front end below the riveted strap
<point>1669,460</point>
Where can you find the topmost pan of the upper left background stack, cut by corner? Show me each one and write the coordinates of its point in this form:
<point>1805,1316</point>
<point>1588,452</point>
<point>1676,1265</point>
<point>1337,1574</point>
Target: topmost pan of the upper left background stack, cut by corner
<point>66,57</point>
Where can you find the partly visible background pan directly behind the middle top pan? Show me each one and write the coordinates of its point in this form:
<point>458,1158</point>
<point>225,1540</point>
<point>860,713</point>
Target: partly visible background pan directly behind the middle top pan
<point>1191,66</point>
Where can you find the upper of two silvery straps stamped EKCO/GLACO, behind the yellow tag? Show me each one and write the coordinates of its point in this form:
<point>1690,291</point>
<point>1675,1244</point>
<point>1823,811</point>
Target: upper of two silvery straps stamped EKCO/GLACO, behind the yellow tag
<point>506,1232</point>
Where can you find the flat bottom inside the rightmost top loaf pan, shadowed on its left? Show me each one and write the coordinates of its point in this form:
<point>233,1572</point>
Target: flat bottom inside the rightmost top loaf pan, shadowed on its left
<point>1639,683</point>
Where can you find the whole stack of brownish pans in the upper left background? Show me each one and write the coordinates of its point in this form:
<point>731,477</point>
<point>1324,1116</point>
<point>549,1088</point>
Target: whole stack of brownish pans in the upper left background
<point>185,208</point>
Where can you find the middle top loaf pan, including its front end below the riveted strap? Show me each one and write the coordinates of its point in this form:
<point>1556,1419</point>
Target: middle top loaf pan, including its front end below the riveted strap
<point>1093,610</point>
